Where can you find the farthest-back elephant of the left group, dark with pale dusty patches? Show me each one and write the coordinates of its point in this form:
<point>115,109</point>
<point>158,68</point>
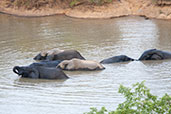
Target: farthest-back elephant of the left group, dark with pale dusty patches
<point>63,55</point>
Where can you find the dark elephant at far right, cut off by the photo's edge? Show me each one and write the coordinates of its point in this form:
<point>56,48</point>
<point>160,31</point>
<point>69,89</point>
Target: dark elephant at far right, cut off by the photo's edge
<point>154,54</point>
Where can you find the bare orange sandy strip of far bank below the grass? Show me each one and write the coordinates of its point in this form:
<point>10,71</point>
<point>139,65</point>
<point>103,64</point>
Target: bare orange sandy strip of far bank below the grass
<point>84,10</point>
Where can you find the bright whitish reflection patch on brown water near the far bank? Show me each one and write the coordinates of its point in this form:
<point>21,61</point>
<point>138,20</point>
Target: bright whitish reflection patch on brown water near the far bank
<point>142,34</point>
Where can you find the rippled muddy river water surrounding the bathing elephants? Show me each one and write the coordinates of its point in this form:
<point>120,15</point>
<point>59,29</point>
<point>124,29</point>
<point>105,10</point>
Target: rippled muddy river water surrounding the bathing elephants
<point>22,38</point>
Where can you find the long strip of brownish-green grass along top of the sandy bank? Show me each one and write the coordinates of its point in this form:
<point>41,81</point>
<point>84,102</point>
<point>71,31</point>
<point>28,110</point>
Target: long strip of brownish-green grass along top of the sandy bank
<point>36,4</point>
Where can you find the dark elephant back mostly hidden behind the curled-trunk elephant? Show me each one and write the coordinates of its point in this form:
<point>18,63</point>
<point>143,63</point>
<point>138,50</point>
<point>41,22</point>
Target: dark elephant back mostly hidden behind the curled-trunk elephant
<point>47,63</point>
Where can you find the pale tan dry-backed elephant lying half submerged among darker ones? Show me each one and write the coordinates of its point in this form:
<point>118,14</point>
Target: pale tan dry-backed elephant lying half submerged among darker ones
<point>77,64</point>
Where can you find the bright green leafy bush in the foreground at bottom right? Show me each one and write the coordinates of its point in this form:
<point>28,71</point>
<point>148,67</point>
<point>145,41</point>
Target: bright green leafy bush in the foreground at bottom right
<point>139,100</point>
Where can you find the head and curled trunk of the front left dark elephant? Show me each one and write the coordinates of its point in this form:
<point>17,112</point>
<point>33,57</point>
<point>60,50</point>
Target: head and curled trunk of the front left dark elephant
<point>27,72</point>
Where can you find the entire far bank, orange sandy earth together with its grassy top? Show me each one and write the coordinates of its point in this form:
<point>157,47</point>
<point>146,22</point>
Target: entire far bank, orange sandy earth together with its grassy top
<point>160,9</point>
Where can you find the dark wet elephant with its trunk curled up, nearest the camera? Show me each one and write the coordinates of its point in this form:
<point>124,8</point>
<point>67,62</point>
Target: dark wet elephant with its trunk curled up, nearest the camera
<point>36,72</point>
